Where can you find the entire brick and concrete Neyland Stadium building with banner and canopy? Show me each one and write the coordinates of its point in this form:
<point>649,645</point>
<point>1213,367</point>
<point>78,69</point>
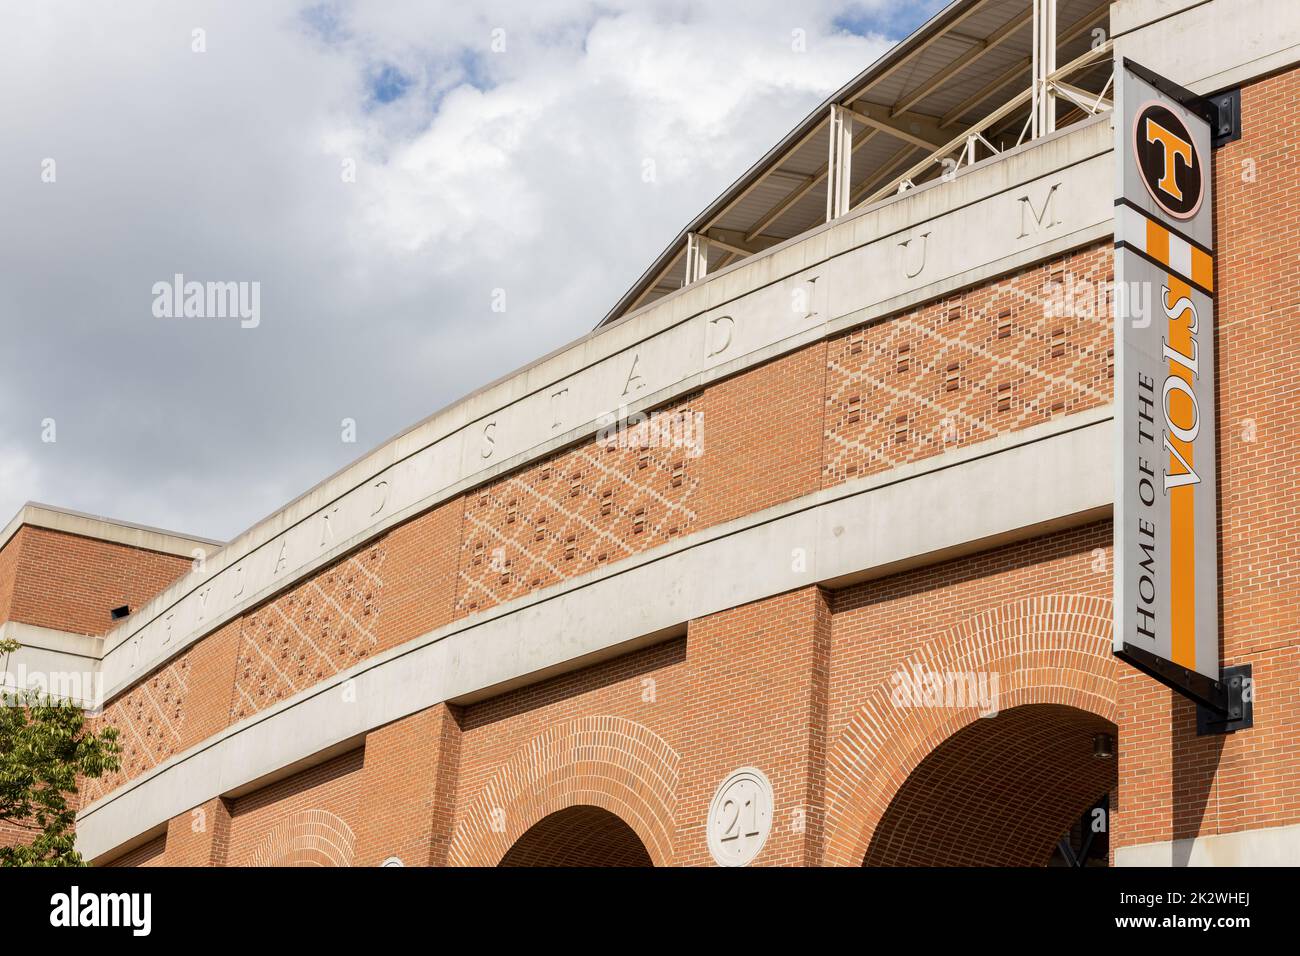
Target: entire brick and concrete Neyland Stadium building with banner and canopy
<point>929,501</point>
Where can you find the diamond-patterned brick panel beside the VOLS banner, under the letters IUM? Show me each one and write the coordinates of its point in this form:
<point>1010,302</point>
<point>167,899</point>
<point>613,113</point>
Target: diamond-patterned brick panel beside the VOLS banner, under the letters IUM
<point>993,360</point>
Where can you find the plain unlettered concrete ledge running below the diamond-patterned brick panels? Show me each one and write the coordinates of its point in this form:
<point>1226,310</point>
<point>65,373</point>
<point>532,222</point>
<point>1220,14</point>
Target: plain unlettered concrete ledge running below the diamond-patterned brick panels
<point>1047,477</point>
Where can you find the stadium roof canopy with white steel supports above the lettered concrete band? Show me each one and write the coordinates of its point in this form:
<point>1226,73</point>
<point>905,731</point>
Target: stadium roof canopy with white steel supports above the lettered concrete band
<point>959,89</point>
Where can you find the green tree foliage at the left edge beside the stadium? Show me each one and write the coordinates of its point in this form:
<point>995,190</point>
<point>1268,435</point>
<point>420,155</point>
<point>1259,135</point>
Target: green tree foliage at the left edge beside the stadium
<point>46,749</point>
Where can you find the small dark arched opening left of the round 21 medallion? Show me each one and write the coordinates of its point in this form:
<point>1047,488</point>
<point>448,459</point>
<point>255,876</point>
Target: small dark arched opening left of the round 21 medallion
<point>579,837</point>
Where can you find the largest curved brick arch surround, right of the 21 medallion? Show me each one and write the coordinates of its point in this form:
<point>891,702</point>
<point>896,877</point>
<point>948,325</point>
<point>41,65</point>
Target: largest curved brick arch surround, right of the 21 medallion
<point>1046,650</point>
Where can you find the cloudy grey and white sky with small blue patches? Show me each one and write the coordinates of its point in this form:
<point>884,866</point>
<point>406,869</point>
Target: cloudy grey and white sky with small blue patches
<point>380,170</point>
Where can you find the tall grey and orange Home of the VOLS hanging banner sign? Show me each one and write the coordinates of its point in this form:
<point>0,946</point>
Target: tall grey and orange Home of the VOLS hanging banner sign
<point>1167,498</point>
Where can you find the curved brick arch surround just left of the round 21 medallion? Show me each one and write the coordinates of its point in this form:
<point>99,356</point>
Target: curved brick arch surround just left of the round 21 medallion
<point>610,763</point>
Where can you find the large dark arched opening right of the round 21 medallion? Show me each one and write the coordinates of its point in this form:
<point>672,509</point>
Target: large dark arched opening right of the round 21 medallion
<point>1006,791</point>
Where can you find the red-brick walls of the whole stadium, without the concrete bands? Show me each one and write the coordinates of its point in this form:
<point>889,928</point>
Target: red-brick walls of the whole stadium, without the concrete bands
<point>618,762</point>
